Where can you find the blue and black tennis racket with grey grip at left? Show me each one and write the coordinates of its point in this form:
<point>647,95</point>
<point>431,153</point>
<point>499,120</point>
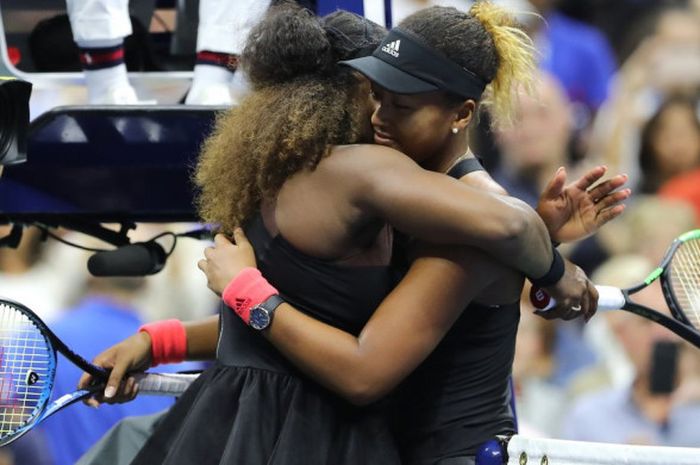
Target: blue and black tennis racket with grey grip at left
<point>28,368</point>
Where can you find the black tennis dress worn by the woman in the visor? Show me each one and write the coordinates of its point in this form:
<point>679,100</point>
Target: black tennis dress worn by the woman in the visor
<point>460,396</point>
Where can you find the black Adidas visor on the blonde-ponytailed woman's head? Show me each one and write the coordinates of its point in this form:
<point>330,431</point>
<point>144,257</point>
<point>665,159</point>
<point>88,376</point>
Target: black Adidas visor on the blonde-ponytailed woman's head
<point>405,65</point>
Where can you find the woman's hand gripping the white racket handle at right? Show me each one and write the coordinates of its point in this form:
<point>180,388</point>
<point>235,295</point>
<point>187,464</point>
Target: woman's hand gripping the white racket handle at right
<point>575,295</point>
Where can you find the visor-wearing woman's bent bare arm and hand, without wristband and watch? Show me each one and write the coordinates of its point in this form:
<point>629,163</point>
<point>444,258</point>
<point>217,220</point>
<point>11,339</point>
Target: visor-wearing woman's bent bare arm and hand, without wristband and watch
<point>401,333</point>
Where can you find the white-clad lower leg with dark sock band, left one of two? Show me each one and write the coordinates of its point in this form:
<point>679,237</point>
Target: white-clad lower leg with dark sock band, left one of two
<point>99,28</point>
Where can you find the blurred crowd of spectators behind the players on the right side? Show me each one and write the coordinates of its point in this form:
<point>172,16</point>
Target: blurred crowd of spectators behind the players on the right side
<point>626,95</point>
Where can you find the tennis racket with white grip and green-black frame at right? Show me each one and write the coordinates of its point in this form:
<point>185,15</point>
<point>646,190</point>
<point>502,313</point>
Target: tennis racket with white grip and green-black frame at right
<point>679,274</point>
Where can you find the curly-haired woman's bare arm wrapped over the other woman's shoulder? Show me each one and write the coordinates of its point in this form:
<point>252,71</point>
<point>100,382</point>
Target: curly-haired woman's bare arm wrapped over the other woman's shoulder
<point>439,209</point>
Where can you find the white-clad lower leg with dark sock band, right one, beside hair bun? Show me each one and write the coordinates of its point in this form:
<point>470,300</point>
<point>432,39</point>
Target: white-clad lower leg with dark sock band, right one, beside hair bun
<point>224,26</point>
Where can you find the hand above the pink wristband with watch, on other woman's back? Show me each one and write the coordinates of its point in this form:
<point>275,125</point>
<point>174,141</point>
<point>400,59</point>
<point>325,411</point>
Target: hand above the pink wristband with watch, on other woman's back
<point>223,261</point>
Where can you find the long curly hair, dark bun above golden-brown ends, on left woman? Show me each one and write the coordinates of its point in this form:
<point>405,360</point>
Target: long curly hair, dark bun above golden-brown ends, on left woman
<point>302,105</point>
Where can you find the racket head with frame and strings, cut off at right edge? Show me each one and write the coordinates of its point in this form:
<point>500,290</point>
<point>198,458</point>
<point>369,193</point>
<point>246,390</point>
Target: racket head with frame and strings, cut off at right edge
<point>680,280</point>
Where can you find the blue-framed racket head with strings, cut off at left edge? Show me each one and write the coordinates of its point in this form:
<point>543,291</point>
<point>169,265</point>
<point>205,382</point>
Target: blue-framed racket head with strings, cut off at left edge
<point>27,369</point>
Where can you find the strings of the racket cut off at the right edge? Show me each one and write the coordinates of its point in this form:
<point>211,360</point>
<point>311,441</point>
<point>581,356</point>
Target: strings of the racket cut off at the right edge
<point>685,280</point>
